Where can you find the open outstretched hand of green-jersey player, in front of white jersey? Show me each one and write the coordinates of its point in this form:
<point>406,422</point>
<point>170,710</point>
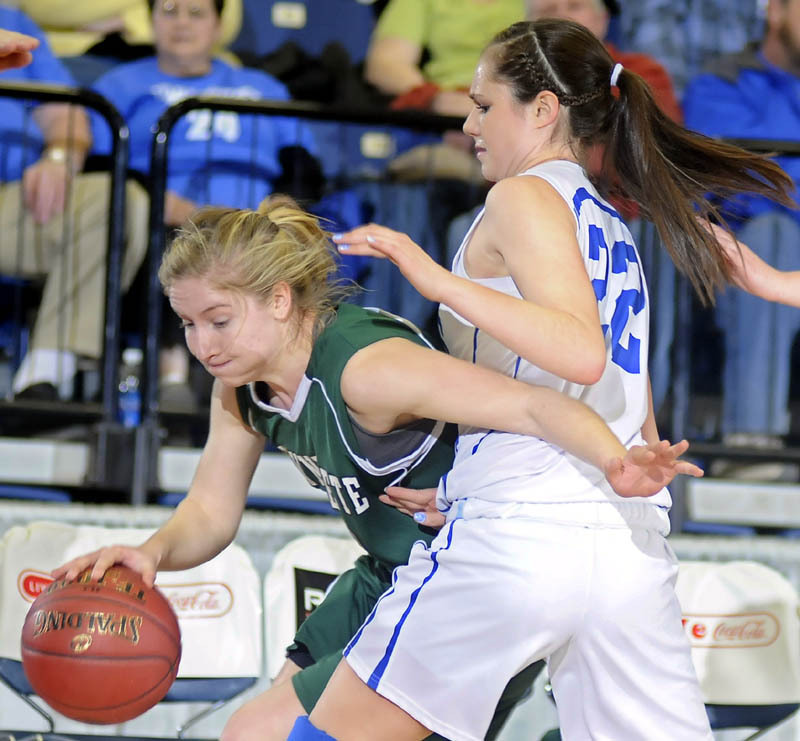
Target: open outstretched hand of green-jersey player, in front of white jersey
<point>646,469</point>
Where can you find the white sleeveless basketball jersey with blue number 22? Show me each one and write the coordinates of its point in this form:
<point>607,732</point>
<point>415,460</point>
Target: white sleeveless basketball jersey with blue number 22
<point>496,467</point>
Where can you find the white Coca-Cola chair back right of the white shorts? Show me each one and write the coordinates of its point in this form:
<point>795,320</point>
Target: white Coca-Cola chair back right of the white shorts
<point>741,620</point>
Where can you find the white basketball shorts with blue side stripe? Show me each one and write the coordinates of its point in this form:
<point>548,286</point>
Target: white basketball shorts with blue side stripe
<point>490,596</point>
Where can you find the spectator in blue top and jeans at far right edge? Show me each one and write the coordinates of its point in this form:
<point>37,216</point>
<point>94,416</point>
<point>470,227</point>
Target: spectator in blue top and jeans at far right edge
<point>754,94</point>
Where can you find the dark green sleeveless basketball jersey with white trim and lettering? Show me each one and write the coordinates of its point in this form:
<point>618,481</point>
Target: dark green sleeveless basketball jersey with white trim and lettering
<point>320,437</point>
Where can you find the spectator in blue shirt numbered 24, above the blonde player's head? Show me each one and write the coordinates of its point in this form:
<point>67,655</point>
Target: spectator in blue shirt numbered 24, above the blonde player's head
<point>221,158</point>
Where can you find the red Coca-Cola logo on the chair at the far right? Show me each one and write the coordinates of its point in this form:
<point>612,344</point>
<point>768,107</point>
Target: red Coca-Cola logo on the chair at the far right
<point>745,630</point>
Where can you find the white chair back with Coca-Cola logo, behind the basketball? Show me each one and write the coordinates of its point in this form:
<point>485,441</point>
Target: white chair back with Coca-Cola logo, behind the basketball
<point>218,604</point>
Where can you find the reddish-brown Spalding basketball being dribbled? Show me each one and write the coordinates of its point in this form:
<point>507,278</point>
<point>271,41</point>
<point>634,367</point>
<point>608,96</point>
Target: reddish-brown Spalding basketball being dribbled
<point>101,651</point>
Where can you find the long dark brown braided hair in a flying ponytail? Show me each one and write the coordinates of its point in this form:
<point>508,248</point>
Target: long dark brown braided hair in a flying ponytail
<point>673,174</point>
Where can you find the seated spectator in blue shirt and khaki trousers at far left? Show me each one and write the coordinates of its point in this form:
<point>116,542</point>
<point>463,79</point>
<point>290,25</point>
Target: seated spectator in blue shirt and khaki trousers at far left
<point>54,222</point>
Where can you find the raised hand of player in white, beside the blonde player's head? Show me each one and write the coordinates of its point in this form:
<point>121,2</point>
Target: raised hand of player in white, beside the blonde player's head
<point>419,268</point>
